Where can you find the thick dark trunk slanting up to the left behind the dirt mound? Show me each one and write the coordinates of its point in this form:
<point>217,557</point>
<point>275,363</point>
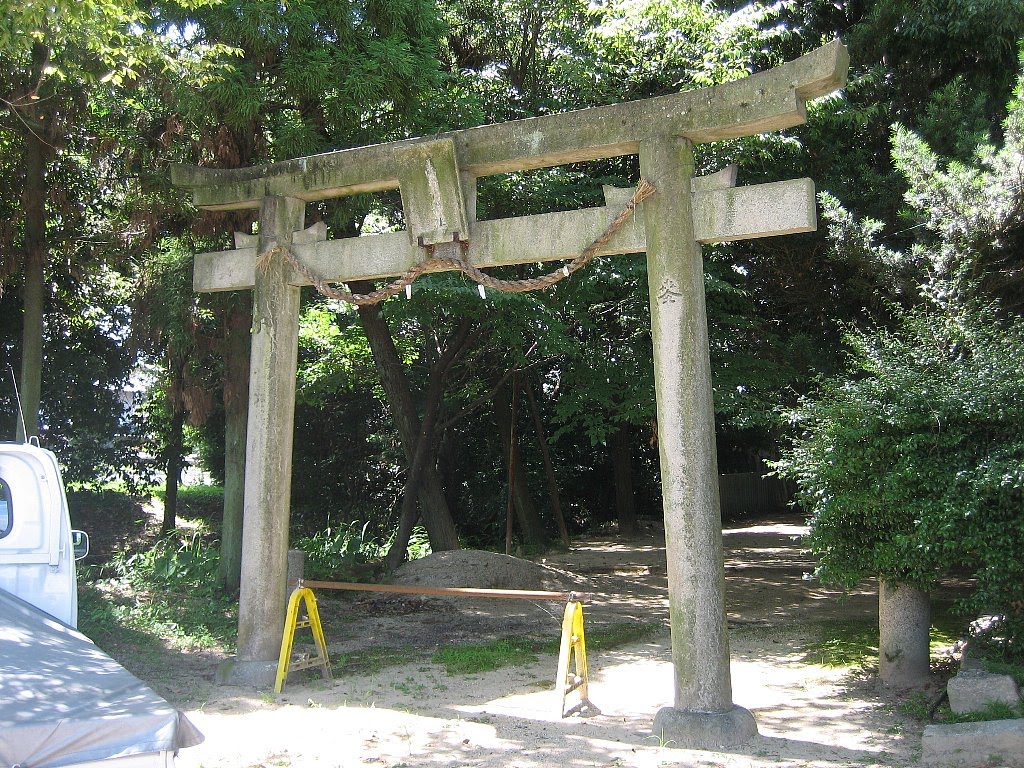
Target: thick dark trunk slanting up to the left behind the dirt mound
<point>434,505</point>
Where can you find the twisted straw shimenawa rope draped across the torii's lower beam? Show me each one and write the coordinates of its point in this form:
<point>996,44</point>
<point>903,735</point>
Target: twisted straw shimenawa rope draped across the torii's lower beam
<point>459,264</point>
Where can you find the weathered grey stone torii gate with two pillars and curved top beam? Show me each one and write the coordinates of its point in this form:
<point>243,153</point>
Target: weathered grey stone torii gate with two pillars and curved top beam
<point>438,180</point>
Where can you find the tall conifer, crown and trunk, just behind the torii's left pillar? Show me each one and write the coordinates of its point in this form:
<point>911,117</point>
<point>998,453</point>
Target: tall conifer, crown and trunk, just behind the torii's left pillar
<point>323,76</point>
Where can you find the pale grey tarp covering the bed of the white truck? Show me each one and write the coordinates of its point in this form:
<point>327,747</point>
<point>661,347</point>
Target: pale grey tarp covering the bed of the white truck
<point>63,701</point>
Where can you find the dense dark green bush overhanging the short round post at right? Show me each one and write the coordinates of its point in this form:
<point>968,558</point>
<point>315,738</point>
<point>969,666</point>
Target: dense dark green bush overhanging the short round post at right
<point>913,466</point>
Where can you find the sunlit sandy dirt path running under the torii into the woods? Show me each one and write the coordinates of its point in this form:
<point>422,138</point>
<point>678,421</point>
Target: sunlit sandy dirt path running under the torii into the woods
<point>417,715</point>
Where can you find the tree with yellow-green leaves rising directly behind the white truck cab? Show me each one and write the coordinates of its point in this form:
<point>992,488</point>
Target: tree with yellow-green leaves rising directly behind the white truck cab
<point>56,61</point>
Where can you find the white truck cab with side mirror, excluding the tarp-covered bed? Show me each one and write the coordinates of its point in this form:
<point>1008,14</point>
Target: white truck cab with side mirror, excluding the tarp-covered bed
<point>37,552</point>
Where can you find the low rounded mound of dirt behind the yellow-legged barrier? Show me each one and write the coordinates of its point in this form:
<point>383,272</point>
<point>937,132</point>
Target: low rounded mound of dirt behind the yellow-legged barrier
<point>471,568</point>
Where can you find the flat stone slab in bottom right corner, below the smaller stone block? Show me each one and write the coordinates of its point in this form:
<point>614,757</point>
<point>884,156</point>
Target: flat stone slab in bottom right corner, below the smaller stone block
<point>995,743</point>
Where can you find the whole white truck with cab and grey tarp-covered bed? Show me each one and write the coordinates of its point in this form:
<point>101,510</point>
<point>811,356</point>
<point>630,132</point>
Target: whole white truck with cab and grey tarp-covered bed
<point>63,701</point>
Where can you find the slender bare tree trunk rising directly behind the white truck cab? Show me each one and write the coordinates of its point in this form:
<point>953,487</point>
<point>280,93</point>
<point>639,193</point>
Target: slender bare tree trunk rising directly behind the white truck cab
<point>36,253</point>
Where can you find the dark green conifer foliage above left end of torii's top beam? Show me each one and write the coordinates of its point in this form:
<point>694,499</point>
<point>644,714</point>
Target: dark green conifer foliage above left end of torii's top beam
<point>321,76</point>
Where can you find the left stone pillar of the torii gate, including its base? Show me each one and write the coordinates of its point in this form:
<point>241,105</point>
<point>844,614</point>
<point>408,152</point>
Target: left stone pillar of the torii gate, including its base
<point>269,453</point>
